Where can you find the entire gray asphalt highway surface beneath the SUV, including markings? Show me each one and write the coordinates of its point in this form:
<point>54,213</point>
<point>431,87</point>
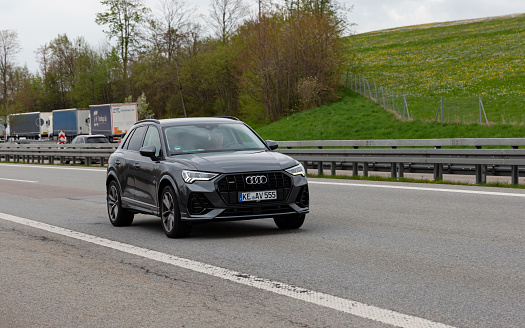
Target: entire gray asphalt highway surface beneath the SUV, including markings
<point>428,255</point>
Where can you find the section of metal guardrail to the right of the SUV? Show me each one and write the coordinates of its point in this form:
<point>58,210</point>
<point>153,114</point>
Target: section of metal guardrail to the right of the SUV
<point>414,155</point>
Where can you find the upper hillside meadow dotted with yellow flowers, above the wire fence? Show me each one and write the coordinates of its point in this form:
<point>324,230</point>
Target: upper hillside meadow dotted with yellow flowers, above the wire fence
<point>458,60</point>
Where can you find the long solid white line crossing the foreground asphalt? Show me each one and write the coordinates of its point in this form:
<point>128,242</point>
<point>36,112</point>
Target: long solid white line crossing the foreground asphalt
<point>337,303</point>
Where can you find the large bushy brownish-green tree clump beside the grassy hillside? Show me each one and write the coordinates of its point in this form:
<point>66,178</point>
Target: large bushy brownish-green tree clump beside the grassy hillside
<point>290,52</point>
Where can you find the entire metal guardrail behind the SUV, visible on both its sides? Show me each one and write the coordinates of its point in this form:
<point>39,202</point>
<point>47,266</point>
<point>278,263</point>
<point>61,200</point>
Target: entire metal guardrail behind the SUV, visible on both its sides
<point>396,155</point>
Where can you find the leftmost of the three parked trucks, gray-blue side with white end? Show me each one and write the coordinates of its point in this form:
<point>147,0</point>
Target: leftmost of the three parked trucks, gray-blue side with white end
<point>34,125</point>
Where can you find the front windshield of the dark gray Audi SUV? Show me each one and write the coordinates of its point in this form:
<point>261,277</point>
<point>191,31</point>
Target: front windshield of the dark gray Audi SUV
<point>193,138</point>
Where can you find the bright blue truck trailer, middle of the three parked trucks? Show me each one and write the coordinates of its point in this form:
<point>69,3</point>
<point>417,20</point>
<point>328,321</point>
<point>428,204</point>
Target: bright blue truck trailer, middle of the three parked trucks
<point>73,121</point>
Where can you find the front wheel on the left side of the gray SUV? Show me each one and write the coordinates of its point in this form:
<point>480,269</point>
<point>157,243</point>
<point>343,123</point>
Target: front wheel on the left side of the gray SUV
<point>170,215</point>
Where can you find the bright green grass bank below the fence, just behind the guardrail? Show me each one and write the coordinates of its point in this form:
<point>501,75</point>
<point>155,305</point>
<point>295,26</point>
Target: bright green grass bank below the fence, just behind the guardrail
<point>355,117</point>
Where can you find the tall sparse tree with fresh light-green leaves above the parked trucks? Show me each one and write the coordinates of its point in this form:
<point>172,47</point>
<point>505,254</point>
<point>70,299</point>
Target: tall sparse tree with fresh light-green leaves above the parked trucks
<point>124,18</point>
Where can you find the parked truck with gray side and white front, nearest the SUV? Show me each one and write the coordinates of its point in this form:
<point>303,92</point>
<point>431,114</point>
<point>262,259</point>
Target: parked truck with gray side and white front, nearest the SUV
<point>112,120</point>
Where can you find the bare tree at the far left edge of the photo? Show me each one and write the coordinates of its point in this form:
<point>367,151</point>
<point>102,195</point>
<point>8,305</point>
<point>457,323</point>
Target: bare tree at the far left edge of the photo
<point>9,47</point>
